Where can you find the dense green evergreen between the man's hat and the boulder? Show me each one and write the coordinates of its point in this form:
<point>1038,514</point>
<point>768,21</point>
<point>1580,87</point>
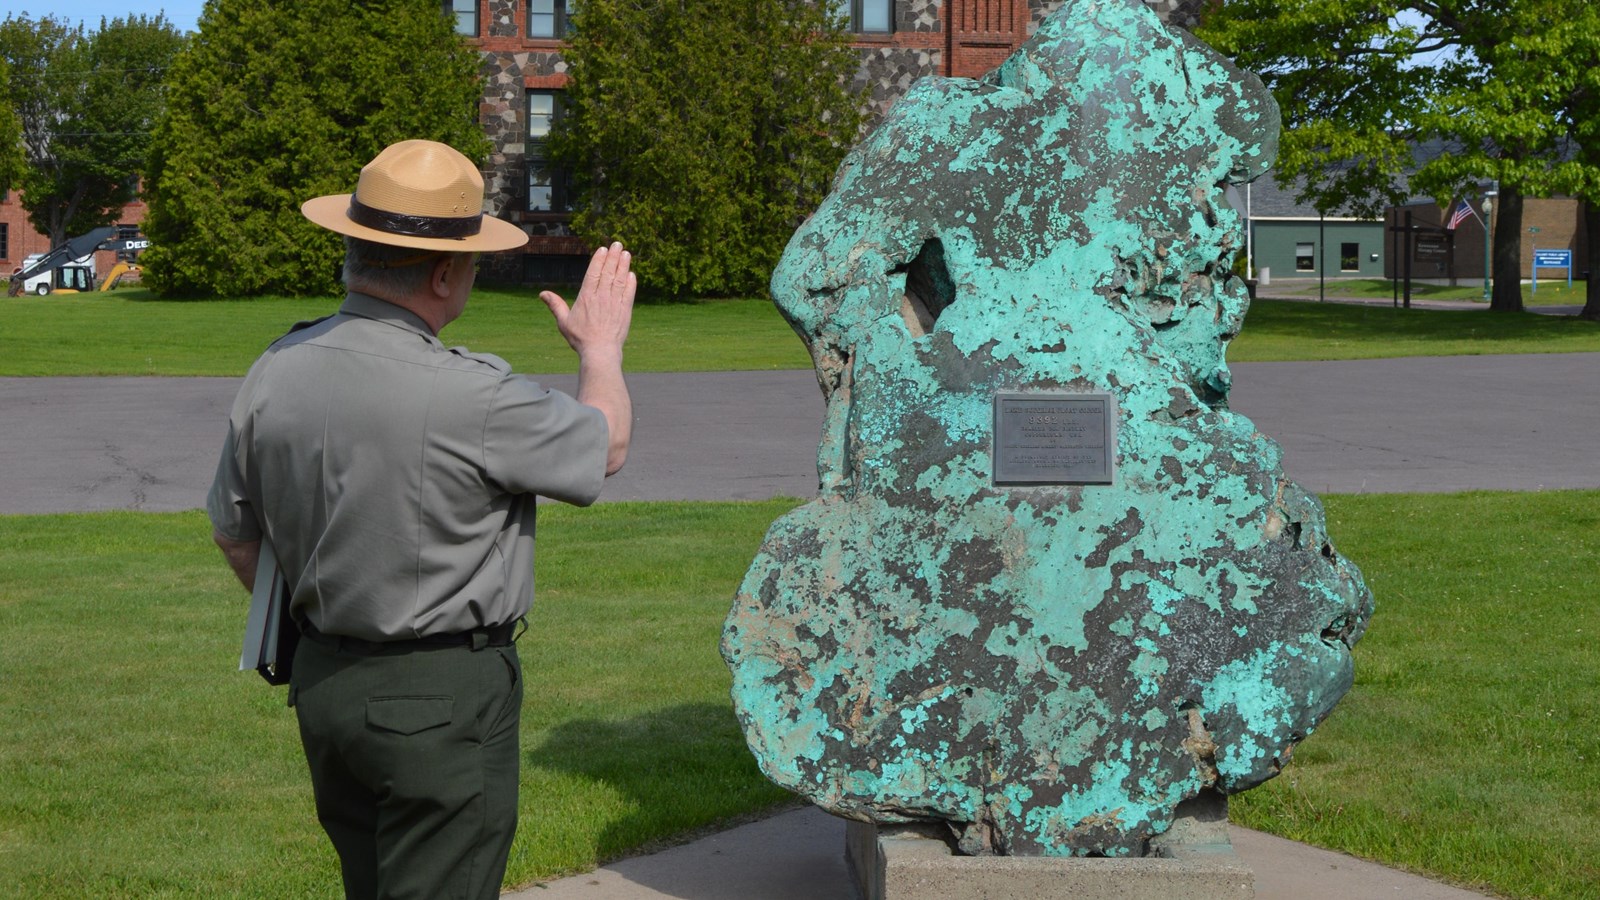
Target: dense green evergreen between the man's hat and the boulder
<point>703,132</point>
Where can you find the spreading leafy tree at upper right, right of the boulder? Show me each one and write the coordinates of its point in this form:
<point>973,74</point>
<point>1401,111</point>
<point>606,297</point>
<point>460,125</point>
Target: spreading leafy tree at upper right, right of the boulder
<point>1362,82</point>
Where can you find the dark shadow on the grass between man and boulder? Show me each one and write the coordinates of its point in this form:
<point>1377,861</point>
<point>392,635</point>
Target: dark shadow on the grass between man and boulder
<point>682,769</point>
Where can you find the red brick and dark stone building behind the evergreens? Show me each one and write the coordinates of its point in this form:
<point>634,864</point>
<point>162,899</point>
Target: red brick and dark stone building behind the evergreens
<point>521,41</point>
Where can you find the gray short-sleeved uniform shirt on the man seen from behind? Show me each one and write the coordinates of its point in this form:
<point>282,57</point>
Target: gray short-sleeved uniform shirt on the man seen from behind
<point>396,478</point>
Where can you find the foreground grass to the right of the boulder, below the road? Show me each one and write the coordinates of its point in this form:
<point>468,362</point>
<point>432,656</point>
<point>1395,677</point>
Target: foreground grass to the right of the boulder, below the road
<point>1468,745</point>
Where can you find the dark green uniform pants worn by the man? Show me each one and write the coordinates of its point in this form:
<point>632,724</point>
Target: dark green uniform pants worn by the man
<point>414,761</point>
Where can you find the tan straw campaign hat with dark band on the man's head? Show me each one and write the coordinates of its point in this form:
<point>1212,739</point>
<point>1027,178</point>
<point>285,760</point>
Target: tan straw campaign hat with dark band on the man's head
<point>418,195</point>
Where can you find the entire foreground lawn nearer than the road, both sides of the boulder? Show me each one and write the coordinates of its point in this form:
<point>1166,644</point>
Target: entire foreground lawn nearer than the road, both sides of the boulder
<point>138,763</point>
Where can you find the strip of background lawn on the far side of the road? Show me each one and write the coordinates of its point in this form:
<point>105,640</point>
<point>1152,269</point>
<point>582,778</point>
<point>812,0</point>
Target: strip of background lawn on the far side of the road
<point>130,332</point>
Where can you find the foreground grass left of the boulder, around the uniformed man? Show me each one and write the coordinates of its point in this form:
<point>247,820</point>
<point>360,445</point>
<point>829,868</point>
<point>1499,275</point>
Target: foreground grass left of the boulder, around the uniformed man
<point>140,763</point>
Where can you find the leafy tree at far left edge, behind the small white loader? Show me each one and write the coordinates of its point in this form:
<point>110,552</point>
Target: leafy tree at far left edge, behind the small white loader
<point>87,103</point>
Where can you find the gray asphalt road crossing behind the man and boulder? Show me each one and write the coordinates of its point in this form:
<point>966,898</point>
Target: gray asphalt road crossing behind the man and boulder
<point>1401,425</point>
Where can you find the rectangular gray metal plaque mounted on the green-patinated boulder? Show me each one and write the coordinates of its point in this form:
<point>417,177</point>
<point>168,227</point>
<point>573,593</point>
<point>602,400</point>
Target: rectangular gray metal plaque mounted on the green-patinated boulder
<point>1055,440</point>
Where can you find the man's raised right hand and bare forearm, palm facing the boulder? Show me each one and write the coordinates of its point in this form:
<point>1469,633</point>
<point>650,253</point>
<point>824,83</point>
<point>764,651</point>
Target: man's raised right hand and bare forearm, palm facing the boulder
<point>596,327</point>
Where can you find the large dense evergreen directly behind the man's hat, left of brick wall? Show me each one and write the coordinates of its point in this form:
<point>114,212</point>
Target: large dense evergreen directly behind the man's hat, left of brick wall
<point>274,103</point>
